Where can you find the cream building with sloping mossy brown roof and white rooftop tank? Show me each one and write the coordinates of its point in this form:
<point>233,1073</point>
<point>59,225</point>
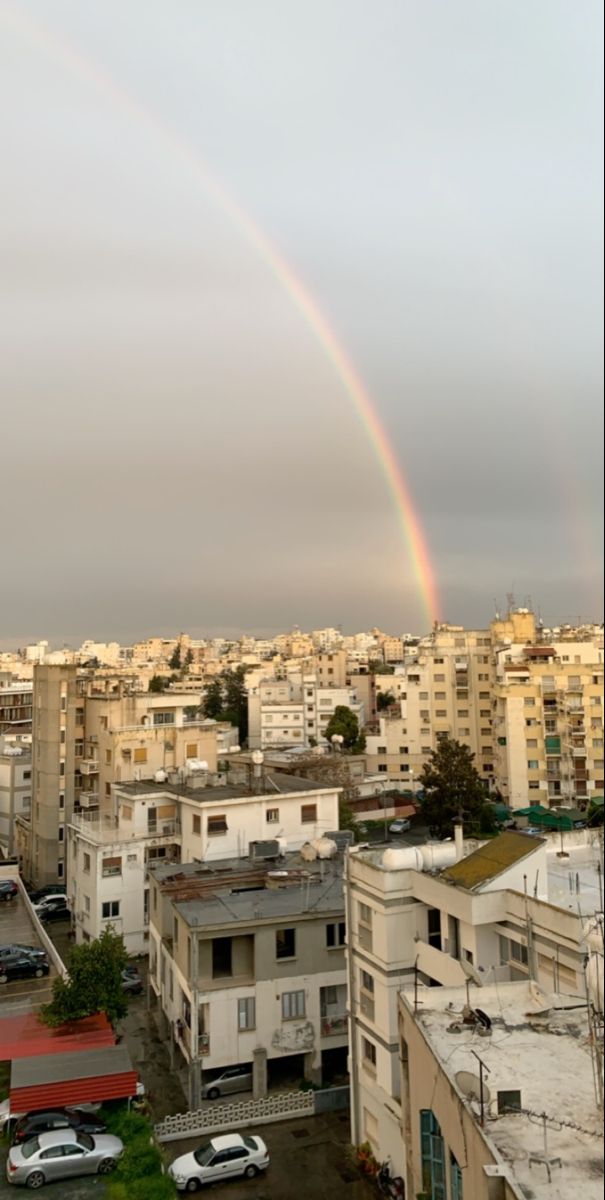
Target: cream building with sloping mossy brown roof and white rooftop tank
<point>427,917</point>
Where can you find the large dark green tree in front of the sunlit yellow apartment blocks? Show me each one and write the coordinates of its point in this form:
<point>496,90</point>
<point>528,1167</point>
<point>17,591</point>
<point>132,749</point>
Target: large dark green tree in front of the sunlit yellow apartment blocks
<point>454,790</point>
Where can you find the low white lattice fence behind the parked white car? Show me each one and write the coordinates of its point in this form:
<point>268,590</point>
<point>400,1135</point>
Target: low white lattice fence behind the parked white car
<point>219,1118</point>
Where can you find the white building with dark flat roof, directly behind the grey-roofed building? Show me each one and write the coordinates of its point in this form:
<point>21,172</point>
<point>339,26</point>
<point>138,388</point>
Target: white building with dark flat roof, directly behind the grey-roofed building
<point>191,820</point>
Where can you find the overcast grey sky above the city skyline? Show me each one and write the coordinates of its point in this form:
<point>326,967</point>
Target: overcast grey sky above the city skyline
<point>177,451</point>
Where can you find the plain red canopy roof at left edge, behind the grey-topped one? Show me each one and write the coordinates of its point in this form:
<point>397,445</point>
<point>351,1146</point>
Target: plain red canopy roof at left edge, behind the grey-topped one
<point>22,1037</point>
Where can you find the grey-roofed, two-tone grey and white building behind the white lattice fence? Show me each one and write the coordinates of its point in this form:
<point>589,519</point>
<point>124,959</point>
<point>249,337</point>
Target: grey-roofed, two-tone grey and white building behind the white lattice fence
<point>248,967</point>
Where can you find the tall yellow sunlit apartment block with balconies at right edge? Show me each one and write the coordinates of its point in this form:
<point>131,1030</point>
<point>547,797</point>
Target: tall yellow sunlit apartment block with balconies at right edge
<point>548,721</point>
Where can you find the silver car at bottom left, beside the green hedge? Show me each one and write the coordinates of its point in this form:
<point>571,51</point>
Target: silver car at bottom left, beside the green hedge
<point>61,1156</point>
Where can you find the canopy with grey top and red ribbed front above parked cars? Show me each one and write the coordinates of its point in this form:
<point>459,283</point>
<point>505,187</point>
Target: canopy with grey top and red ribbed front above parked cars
<point>68,1079</point>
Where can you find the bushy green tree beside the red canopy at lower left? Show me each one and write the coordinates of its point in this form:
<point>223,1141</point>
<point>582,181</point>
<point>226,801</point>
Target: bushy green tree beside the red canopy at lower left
<point>94,983</point>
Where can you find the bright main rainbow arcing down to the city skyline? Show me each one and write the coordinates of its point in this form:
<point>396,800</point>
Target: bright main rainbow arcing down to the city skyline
<point>409,519</point>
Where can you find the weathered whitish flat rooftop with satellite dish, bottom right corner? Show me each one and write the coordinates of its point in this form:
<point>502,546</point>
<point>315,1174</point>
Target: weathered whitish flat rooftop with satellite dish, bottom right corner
<point>541,1048</point>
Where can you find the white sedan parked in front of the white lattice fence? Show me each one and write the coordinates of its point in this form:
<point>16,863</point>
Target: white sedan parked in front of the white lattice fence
<point>221,1159</point>
